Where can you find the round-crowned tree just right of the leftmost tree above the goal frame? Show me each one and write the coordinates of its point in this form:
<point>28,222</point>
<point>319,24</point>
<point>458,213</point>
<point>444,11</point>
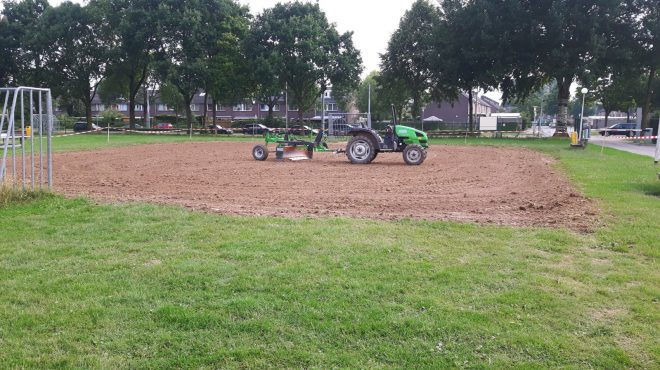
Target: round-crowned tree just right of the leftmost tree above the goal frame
<point>78,52</point>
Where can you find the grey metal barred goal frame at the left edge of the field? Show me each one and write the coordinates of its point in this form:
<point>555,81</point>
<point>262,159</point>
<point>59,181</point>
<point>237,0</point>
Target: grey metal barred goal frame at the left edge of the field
<point>26,122</point>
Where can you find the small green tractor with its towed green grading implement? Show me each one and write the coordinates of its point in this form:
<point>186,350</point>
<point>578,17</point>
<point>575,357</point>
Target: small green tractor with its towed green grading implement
<point>362,148</point>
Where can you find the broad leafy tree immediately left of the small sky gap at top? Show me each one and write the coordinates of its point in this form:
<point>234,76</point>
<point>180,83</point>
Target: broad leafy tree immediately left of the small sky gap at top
<point>200,42</point>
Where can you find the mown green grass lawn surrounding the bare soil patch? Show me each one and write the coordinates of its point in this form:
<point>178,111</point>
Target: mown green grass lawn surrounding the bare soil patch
<point>134,286</point>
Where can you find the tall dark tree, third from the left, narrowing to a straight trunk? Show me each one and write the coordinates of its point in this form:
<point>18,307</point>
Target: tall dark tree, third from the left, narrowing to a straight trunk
<point>135,38</point>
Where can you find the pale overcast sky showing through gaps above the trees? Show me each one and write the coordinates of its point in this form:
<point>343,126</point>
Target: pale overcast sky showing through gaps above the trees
<point>372,21</point>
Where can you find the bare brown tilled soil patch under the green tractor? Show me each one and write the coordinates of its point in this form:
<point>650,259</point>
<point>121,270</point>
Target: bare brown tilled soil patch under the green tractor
<point>478,184</point>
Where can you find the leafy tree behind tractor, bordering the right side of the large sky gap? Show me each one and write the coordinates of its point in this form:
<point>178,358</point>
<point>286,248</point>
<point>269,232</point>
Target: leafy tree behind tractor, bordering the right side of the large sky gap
<point>407,61</point>
